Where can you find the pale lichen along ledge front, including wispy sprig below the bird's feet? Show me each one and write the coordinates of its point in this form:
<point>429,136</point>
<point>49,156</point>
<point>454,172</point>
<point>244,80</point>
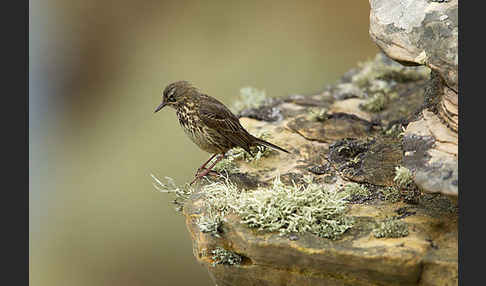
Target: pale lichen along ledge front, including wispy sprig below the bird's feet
<point>279,208</point>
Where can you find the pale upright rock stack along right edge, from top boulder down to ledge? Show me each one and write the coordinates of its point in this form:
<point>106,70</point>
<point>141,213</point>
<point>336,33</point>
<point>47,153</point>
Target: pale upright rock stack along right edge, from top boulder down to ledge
<point>424,32</point>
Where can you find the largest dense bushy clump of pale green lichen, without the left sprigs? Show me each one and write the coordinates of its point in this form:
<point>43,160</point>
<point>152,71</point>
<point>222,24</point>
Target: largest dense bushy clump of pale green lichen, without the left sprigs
<point>294,209</point>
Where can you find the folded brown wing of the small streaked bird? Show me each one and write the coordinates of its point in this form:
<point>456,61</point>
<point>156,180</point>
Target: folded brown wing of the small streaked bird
<point>216,116</point>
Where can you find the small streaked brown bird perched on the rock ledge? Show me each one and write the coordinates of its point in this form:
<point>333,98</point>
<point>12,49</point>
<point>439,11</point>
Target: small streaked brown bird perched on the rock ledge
<point>208,123</point>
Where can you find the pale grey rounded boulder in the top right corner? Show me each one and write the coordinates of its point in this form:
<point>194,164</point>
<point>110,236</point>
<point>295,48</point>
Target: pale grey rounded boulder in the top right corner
<point>415,31</point>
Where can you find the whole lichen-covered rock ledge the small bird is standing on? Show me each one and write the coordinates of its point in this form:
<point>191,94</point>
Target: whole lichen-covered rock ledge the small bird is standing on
<point>340,209</point>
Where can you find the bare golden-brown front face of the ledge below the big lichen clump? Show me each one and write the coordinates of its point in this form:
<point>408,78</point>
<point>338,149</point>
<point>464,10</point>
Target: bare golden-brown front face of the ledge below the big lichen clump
<point>359,258</point>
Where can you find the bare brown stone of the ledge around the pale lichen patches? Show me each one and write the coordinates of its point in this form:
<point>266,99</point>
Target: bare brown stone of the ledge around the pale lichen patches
<point>343,144</point>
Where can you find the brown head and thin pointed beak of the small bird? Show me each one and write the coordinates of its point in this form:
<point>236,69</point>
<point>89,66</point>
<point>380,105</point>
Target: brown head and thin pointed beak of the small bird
<point>176,94</point>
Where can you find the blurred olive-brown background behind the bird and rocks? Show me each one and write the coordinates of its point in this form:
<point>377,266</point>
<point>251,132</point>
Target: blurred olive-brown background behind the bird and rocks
<point>97,69</point>
